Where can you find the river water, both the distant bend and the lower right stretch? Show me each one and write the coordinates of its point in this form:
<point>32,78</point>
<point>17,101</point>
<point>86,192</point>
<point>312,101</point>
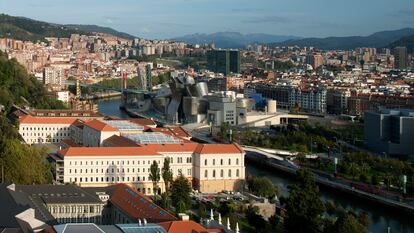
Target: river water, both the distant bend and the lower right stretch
<point>379,218</point>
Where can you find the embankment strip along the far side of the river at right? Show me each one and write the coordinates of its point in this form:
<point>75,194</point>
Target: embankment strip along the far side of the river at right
<point>334,186</point>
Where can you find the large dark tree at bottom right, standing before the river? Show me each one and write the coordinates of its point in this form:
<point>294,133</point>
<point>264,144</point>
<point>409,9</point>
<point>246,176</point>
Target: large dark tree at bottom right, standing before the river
<point>304,207</point>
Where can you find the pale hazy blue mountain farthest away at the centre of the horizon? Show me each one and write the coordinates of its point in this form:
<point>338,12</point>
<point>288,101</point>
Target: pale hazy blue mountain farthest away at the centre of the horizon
<point>233,39</point>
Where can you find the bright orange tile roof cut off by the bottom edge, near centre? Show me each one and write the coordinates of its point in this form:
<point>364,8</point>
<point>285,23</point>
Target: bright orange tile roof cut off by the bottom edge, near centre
<point>186,227</point>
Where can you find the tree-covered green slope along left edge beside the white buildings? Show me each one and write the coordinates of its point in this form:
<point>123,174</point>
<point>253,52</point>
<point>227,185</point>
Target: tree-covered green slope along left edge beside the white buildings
<point>22,164</point>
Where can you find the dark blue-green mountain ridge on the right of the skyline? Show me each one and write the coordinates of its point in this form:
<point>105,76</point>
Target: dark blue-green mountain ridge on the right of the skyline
<point>377,40</point>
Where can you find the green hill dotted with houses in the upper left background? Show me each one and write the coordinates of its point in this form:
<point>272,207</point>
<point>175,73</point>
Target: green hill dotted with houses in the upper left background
<point>22,28</point>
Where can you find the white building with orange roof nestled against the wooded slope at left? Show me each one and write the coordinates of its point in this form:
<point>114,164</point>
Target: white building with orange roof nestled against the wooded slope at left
<point>45,129</point>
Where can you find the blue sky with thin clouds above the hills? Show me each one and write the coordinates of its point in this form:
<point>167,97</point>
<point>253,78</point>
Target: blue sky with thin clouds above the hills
<point>163,19</point>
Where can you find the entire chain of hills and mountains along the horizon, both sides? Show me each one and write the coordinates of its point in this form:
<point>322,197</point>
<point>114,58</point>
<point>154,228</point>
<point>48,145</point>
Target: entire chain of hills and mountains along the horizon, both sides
<point>28,29</point>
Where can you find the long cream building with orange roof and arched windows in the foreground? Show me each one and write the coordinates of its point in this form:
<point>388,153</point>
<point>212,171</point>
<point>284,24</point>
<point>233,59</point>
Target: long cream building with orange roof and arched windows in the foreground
<point>211,168</point>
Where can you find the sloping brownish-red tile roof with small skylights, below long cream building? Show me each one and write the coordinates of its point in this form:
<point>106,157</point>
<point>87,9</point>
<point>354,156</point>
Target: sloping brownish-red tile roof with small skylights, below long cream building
<point>138,206</point>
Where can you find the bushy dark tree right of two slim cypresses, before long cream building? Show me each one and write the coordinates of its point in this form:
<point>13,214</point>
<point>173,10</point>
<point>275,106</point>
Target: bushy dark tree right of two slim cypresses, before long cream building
<point>181,193</point>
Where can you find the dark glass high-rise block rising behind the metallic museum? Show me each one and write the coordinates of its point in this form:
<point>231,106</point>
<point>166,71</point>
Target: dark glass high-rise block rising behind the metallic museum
<point>224,61</point>
